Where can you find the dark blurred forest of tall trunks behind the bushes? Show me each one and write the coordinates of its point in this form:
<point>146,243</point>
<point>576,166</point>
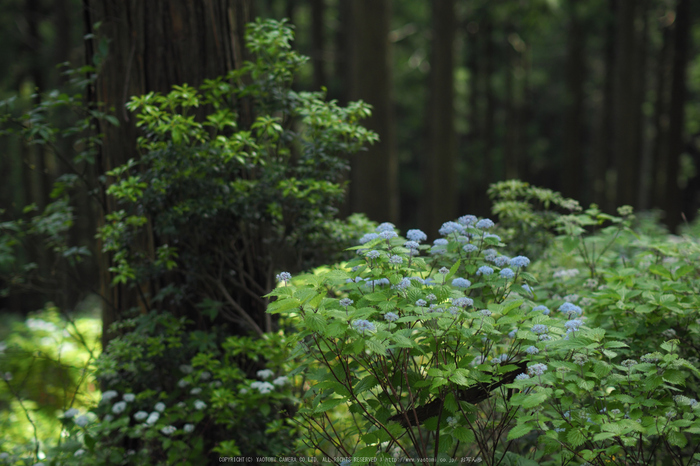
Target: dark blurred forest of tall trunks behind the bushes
<point>595,99</point>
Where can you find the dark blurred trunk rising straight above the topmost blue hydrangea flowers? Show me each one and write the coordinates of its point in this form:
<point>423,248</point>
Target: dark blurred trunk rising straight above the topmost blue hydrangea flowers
<point>440,165</point>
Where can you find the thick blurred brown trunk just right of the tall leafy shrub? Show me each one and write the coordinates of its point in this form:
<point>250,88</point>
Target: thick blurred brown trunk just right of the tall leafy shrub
<point>374,175</point>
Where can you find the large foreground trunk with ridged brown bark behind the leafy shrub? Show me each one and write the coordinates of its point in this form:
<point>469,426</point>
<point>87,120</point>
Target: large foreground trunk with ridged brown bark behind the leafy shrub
<point>153,45</point>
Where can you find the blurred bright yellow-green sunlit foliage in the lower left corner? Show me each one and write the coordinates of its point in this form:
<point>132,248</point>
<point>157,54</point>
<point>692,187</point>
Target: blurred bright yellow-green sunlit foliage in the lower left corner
<point>46,368</point>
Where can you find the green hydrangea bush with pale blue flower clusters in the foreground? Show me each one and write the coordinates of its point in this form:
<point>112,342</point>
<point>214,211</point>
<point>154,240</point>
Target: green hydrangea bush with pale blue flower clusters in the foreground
<point>447,355</point>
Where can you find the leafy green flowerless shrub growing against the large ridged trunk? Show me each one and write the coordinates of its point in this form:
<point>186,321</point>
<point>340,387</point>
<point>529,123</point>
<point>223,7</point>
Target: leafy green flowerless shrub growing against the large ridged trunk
<point>236,178</point>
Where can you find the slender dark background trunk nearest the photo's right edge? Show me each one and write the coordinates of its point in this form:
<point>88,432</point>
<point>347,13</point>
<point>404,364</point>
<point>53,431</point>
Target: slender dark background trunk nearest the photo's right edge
<point>676,132</point>
